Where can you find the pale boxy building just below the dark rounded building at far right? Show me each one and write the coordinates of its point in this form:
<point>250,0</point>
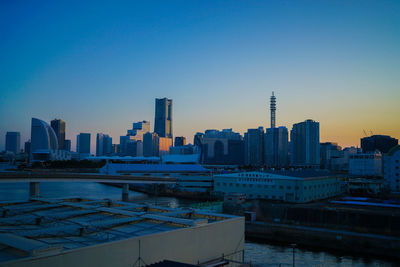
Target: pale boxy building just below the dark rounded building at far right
<point>366,164</point>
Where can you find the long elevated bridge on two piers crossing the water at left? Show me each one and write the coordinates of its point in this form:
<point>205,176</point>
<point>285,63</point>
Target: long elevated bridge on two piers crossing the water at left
<point>34,179</point>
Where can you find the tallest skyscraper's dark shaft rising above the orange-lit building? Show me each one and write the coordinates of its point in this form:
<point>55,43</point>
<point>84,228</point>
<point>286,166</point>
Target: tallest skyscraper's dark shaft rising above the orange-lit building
<point>163,117</point>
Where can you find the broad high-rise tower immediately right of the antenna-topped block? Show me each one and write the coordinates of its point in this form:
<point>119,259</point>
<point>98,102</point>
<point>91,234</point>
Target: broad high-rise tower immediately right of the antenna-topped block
<point>304,142</point>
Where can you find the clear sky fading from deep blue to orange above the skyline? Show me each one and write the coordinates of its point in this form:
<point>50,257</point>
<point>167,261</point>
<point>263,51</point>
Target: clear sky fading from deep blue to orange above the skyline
<point>99,65</point>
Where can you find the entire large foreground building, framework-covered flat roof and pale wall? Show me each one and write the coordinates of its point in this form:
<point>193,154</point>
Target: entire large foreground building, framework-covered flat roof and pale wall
<point>90,232</point>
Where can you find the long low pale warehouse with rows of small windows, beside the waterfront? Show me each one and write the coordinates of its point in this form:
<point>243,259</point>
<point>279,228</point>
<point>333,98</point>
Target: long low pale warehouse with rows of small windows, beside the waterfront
<point>295,186</point>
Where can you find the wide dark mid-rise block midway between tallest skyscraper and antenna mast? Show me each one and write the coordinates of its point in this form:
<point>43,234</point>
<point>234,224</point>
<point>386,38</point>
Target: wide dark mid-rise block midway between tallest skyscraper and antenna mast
<point>221,147</point>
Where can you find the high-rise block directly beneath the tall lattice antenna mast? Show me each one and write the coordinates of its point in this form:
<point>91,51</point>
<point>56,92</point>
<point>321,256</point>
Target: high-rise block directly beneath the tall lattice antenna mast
<point>276,147</point>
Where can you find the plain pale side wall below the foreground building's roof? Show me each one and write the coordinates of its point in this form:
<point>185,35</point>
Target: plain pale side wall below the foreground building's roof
<point>190,245</point>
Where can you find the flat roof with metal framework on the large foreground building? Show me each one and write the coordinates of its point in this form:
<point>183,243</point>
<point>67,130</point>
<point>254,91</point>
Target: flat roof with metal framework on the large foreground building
<point>40,226</point>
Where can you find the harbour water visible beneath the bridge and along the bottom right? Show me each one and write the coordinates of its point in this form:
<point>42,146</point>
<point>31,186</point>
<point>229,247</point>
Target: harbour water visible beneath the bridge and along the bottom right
<point>259,254</point>
